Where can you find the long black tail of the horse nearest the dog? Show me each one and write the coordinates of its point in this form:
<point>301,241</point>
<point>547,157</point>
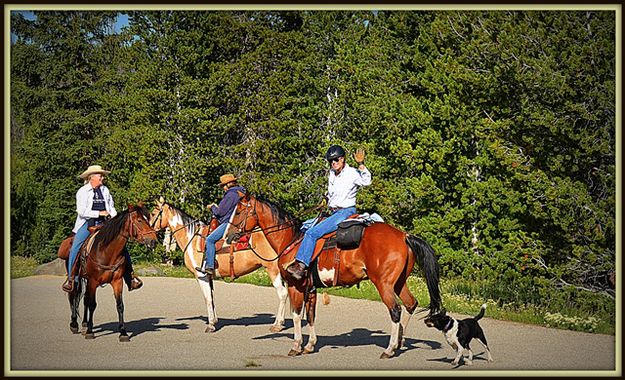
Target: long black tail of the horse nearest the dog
<point>424,253</point>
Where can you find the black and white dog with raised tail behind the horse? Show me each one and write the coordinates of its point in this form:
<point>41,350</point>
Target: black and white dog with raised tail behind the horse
<point>460,333</point>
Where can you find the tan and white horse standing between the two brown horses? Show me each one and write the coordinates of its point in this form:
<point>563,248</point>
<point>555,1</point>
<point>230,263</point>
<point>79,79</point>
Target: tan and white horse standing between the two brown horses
<point>191,240</point>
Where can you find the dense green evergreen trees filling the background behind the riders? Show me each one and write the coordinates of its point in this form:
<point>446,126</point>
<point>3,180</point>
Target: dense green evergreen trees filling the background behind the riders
<point>489,133</point>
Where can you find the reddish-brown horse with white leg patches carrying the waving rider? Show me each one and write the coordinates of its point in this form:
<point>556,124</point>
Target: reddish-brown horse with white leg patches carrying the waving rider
<point>385,255</point>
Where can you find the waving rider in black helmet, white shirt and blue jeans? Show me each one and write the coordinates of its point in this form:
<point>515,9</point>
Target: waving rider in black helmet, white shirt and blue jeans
<point>344,182</point>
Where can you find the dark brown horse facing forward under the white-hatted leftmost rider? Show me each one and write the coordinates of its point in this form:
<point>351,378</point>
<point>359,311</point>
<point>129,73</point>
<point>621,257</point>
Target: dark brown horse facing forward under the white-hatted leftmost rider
<point>101,261</point>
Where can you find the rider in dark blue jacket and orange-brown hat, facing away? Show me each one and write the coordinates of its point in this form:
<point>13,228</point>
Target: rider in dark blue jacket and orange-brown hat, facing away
<point>222,212</point>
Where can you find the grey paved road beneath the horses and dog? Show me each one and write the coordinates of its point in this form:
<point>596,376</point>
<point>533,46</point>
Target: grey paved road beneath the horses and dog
<point>166,321</point>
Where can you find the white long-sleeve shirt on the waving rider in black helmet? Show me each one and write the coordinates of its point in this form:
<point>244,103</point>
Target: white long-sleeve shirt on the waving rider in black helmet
<point>342,188</point>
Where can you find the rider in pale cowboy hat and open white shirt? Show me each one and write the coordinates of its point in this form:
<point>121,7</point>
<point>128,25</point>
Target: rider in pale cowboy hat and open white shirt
<point>94,205</point>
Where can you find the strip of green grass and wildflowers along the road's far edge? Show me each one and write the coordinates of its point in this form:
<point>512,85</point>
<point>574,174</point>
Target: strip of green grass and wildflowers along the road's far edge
<point>559,309</point>
